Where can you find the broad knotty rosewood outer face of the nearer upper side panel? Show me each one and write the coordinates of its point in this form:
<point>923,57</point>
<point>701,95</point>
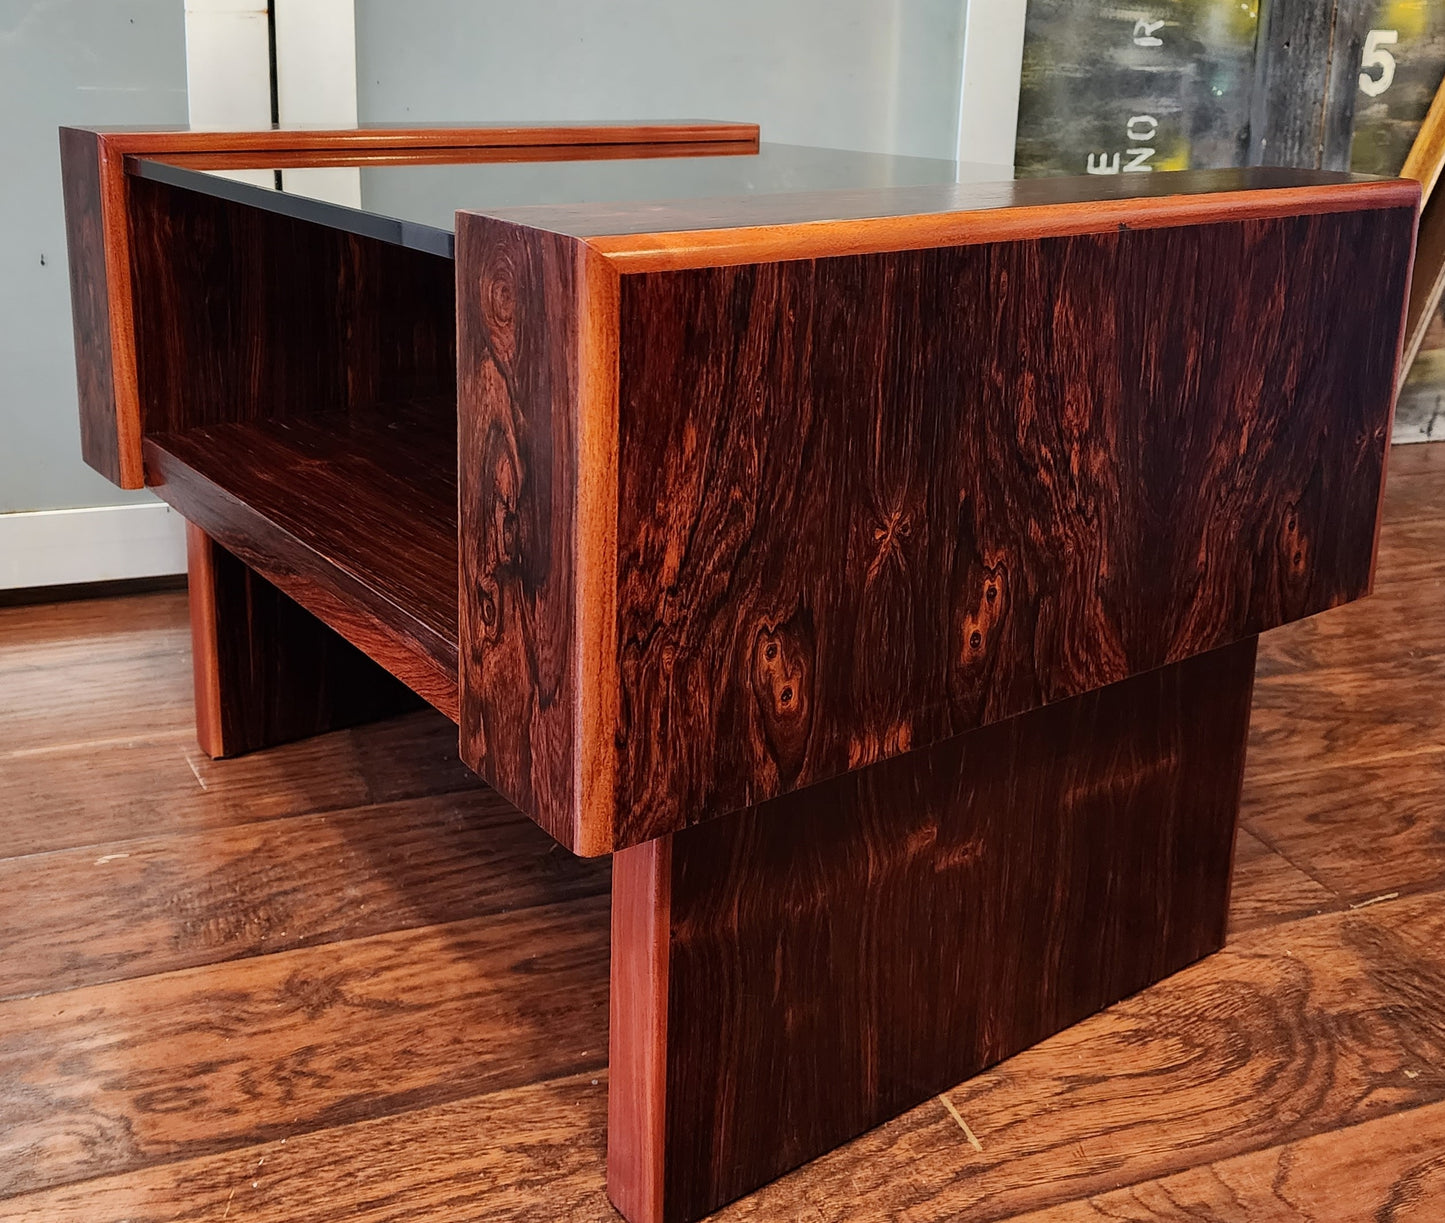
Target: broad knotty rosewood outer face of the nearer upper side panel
<point>872,502</point>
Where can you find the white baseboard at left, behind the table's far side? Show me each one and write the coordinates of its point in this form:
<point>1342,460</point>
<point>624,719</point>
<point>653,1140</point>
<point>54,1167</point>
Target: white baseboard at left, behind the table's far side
<point>106,544</point>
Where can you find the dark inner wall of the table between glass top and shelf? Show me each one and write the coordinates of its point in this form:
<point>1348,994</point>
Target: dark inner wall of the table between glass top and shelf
<point>243,316</point>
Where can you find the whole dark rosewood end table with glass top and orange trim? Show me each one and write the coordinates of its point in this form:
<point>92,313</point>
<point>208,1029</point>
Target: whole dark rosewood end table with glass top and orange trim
<point>871,562</point>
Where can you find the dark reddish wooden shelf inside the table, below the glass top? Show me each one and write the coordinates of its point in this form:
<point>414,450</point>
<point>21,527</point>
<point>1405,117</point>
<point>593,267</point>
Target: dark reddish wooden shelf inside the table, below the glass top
<point>353,515</point>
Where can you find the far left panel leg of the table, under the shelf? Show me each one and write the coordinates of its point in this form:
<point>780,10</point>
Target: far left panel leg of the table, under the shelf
<point>267,670</point>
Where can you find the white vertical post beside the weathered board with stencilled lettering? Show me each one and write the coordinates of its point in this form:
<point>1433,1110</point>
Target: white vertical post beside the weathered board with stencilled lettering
<point>989,93</point>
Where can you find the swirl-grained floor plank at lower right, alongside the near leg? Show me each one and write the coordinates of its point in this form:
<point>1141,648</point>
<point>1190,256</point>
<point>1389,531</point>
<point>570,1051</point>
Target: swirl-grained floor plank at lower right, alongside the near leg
<point>1291,1031</point>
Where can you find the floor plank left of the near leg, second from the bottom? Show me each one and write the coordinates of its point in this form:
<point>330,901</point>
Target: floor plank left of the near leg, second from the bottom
<point>128,1075</point>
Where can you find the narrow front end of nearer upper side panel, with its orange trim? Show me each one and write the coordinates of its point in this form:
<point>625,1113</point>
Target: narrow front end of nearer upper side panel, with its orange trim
<point>537,469</point>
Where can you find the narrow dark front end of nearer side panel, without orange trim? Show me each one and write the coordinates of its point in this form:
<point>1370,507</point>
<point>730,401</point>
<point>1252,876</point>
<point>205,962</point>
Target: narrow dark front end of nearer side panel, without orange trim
<point>521,405</point>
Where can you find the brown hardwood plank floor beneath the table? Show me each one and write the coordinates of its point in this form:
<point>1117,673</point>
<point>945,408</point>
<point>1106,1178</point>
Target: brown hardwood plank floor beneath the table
<point>343,981</point>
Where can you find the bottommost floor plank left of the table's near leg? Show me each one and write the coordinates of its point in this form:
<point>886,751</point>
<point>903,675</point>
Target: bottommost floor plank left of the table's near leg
<point>524,1156</point>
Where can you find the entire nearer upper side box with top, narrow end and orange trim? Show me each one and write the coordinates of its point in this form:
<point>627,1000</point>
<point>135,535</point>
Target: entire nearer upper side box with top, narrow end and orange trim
<point>748,505</point>
